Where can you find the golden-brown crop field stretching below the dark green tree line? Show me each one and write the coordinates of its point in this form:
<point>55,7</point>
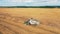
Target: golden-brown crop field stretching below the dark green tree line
<point>12,20</point>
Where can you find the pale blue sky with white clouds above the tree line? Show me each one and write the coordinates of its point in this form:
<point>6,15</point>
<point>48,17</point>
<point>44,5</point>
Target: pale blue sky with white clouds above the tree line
<point>29,2</point>
